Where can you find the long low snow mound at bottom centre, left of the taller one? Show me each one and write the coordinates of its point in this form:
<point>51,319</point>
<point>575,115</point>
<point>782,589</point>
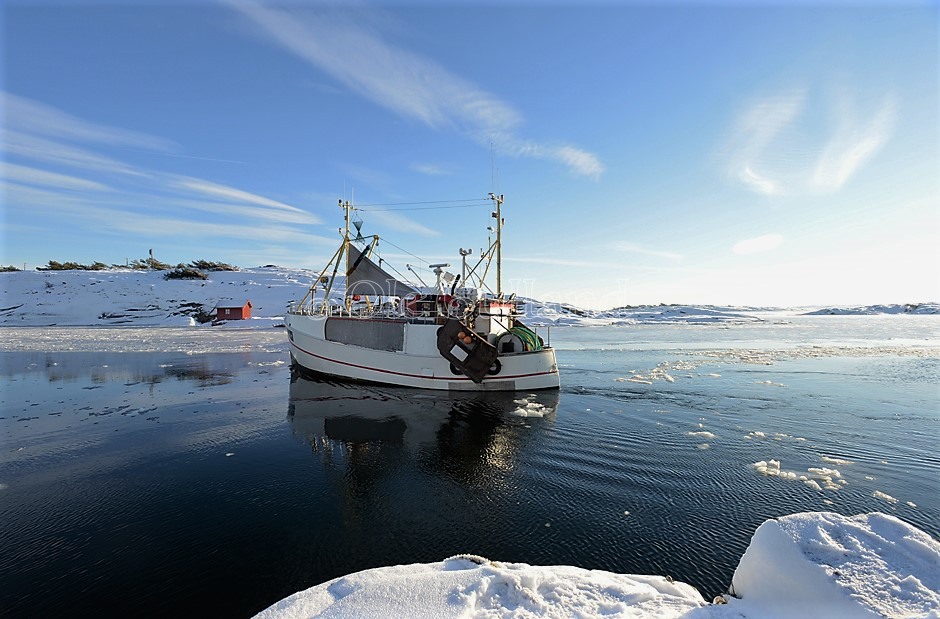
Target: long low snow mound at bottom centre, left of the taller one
<point>460,587</point>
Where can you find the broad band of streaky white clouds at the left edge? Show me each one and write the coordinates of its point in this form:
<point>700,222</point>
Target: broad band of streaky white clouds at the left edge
<point>39,140</point>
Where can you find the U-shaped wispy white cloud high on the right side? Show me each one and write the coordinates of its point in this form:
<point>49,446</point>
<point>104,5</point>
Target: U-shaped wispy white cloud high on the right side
<point>777,148</point>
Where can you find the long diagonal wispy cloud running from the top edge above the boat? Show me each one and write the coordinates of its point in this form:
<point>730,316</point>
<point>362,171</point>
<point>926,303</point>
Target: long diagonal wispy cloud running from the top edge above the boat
<point>408,84</point>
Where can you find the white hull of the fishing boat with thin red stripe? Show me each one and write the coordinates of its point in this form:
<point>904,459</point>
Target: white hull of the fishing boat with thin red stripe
<point>418,364</point>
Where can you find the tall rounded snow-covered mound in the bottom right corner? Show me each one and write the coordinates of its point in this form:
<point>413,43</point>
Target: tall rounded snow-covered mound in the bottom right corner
<point>822,564</point>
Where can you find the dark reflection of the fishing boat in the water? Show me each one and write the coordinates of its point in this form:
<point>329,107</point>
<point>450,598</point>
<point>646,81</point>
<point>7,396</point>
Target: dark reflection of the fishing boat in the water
<point>466,436</point>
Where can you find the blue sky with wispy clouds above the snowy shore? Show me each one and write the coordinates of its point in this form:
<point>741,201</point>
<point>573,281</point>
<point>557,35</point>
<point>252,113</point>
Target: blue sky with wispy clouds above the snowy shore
<point>730,153</point>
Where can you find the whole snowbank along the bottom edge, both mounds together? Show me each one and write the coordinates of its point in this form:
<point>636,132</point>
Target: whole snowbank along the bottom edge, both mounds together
<point>814,564</point>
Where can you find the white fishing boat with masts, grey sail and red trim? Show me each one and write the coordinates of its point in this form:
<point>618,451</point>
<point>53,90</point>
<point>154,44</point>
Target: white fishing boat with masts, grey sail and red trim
<point>454,335</point>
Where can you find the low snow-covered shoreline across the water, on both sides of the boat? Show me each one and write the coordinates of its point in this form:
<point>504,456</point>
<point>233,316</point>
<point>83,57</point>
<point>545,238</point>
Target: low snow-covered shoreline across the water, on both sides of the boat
<point>147,298</point>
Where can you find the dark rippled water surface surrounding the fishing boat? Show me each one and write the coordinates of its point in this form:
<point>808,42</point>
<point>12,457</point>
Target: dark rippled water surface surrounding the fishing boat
<point>211,480</point>
